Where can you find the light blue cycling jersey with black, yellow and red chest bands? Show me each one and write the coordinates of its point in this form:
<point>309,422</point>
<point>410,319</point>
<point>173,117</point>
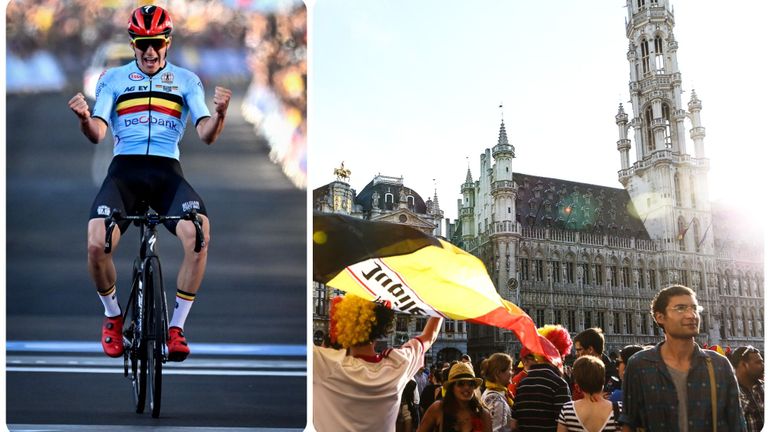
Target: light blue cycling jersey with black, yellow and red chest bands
<point>148,114</point>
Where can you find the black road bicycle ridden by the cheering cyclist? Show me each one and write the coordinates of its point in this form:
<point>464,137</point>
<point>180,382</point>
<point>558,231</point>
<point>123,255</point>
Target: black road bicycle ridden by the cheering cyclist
<point>145,318</point>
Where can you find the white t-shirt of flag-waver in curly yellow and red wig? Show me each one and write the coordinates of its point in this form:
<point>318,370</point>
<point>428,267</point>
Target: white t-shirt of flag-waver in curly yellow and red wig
<point>356,395</point>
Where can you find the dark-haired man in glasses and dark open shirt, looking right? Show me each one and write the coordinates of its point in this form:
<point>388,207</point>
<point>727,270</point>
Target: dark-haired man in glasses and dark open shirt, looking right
<point>668,388</point>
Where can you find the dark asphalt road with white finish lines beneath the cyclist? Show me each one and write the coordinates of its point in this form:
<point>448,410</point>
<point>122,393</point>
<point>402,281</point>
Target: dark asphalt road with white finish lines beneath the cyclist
<point>247,329</point>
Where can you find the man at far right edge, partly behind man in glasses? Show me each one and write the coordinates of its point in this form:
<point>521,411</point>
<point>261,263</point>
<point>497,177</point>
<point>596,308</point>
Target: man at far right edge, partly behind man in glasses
<point>749,369</point>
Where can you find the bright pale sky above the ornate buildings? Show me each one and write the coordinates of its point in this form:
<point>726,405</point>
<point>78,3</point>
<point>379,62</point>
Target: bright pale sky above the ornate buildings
<point>412,88</point>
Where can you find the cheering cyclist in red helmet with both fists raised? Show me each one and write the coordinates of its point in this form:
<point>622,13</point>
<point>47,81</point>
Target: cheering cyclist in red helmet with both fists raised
<point>147,103</point>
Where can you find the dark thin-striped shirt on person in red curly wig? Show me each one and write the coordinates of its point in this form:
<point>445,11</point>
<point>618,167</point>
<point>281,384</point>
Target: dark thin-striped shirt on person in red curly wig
<point>539,399</point>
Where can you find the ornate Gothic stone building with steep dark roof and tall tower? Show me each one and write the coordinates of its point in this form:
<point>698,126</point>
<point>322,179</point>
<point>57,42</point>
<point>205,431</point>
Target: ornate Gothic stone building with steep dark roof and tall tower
<point>593,256</point>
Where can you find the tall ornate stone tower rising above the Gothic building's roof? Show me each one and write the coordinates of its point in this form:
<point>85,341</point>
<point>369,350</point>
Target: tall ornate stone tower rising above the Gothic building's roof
<point>667,184</point>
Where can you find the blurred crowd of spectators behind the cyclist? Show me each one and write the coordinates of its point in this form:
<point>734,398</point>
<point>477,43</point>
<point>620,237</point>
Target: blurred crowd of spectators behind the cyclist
<point>271,35</point>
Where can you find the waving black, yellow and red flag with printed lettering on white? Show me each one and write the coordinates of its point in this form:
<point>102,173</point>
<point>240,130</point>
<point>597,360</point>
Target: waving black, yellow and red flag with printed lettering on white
<point>415,273</point>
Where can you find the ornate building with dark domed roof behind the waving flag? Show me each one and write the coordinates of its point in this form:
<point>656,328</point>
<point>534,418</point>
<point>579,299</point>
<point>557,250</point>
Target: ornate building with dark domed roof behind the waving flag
<point>385,199</point>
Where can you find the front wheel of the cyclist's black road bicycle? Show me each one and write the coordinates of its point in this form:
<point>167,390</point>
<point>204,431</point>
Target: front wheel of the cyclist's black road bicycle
<point>157,321</point>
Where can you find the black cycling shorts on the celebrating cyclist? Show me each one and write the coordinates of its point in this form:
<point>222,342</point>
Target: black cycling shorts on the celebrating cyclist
<point>136,183</point>
